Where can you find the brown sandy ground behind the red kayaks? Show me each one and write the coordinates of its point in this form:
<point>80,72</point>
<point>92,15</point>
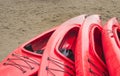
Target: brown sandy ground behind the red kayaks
<point>21,20</point>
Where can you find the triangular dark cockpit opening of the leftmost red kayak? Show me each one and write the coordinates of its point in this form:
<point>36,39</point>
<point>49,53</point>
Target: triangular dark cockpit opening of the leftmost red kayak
<point>38,45</point>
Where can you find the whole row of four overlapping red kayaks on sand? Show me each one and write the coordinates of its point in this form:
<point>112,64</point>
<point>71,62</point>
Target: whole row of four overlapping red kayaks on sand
<point>80,46</point>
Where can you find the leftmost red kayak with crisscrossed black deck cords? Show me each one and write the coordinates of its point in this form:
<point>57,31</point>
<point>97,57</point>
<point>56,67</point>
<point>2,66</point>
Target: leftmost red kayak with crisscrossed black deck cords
<point>25,60</point>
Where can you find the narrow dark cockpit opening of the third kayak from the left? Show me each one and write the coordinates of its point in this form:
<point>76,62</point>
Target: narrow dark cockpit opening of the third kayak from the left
<point>98,43</point>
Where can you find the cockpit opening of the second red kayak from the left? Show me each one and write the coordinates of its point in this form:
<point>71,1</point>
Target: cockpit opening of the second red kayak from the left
<point>68,43</point>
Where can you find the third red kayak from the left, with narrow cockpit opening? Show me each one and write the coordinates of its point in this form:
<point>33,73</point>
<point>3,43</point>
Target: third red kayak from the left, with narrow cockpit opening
<point>89,51</point>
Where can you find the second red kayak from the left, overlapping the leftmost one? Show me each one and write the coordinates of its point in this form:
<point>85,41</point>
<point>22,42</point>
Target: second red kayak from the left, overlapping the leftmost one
<point>58,57</point>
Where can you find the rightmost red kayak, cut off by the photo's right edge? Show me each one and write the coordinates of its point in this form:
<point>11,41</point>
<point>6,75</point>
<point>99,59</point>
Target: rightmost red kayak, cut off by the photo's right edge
<point>111,44</point>
